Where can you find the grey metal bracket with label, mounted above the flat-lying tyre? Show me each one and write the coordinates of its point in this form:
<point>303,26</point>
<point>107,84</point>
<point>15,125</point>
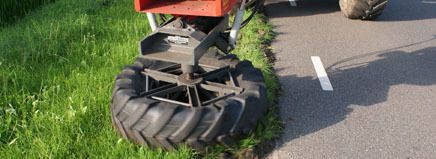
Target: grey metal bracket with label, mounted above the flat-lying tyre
<point>178,42</point>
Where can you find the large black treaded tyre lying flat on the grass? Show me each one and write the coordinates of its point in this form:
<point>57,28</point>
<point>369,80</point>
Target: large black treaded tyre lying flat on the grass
<point>160,124</point>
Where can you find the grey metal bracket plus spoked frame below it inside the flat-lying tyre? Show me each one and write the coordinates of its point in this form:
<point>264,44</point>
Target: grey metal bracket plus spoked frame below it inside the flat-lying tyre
<point>178,41</point>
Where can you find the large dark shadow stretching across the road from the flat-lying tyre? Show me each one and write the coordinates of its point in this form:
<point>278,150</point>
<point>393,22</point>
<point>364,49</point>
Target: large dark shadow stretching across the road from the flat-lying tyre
<point>355,83</point>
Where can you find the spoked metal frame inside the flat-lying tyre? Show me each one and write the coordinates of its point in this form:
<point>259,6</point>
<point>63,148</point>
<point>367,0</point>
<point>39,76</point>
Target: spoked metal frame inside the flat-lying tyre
<point>178,83</point>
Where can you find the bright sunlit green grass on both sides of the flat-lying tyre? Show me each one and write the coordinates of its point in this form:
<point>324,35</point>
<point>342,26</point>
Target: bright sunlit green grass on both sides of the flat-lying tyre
<point>57,68</point>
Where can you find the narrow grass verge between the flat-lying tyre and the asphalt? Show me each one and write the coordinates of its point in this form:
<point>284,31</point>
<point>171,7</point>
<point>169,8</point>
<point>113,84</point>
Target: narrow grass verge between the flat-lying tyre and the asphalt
<point>253,45</point>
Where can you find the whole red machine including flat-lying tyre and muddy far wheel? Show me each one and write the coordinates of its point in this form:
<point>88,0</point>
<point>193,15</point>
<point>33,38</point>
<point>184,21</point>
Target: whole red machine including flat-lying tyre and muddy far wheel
<point>186,87</point>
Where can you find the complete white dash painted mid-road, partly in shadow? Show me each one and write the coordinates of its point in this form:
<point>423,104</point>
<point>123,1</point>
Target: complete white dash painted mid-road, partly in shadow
<point>321,73</point>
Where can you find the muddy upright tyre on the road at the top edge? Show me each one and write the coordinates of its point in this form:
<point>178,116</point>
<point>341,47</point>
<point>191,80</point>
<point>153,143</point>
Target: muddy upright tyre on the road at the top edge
<point>362,9</point>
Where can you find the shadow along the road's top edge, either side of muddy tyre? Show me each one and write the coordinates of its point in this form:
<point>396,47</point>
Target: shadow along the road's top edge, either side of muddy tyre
<point>396,10</point>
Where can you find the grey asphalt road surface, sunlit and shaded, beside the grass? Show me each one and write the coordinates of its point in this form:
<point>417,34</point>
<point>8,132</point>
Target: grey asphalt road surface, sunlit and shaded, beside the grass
<point>383,74</point>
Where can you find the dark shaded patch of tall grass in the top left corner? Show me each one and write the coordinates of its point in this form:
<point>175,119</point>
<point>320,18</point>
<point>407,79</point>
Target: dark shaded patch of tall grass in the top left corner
<point>11,10</point>
